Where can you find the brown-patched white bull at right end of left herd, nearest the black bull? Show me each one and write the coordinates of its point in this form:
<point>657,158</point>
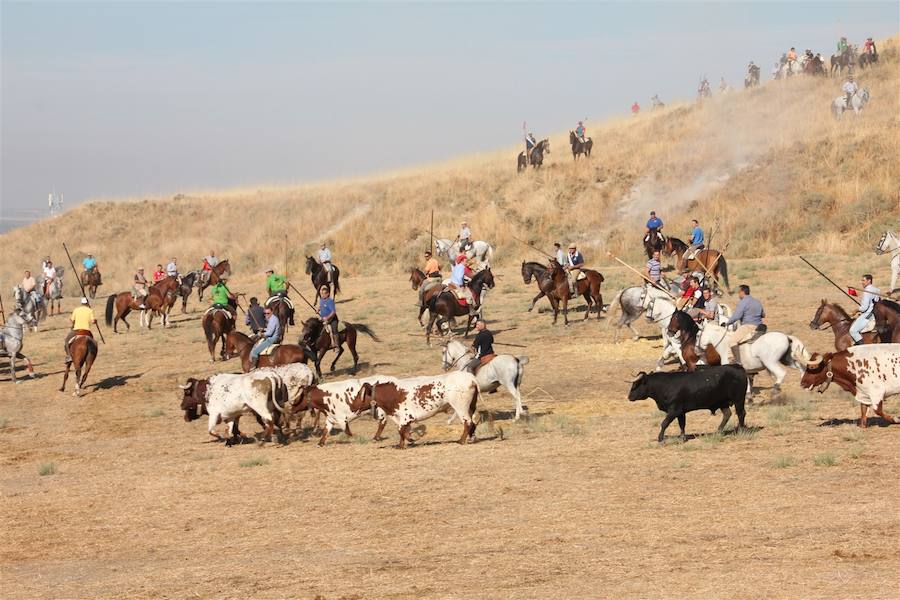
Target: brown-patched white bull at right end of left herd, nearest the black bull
<point>406,401</point>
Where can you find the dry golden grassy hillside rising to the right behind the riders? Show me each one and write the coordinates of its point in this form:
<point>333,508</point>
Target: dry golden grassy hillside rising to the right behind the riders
<point>771,166</point>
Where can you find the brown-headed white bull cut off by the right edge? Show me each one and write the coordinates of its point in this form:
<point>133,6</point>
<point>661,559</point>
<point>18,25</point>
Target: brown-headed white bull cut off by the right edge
<point>870,372</point>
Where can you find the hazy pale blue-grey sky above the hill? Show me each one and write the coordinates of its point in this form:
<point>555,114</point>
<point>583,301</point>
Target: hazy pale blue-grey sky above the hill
<point>128,99</point>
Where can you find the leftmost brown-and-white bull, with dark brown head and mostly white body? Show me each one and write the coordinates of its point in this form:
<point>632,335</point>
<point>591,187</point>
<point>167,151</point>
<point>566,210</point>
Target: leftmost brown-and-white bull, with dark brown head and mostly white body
<point>225,397</point>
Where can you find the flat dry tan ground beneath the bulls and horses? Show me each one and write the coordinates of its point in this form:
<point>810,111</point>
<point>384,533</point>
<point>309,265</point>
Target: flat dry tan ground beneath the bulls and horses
<point>577,501</point>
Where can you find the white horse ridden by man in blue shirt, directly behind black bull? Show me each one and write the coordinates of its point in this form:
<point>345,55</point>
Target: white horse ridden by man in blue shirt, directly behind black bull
<point>770,352</point>
